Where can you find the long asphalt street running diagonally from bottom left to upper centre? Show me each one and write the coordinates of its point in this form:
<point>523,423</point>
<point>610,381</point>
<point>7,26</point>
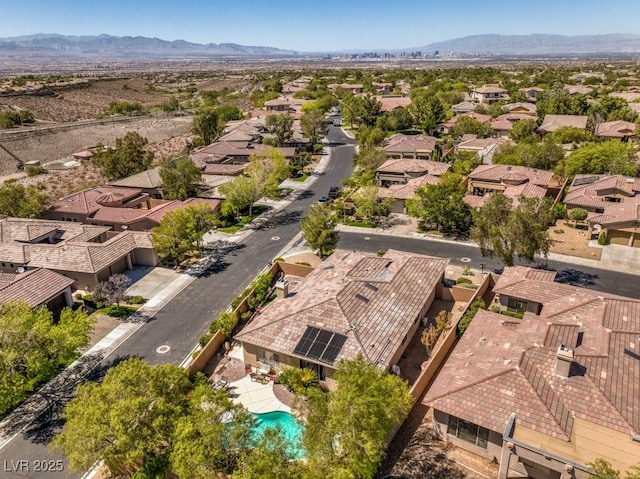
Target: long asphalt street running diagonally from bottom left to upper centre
<point>180,323</point>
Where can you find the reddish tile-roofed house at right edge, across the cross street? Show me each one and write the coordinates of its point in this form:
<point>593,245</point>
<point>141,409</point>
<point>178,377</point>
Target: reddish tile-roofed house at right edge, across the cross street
<point>613,203</point>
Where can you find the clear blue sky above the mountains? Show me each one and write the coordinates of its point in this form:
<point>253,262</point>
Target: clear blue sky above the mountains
<point>318,25</point>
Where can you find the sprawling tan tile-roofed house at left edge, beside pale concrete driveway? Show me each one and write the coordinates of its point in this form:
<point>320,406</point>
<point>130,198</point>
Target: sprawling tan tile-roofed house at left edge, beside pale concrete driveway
<point>85,253</point>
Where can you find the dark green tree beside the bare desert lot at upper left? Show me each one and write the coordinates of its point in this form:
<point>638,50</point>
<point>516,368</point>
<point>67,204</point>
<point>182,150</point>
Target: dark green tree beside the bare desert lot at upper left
<point>127,158</point>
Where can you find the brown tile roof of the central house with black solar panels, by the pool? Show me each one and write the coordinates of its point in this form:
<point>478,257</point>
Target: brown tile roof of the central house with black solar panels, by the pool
<point>371,300</point>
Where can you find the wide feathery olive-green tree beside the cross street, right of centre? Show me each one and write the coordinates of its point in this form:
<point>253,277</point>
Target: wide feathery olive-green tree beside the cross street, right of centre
<point>505,232</point>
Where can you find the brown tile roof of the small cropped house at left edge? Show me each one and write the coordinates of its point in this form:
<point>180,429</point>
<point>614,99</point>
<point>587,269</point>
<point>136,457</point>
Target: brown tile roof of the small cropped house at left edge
<point>34,287</point>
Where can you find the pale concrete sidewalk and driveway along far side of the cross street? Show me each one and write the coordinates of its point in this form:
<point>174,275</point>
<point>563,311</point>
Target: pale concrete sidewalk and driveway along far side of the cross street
<point>614,257</point>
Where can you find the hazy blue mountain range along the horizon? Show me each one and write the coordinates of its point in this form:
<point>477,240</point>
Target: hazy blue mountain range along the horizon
<point>114,47</point>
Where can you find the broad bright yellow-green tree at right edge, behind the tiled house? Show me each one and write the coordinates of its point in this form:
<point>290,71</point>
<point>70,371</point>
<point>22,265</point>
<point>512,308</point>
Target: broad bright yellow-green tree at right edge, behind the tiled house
<point>613,157</point>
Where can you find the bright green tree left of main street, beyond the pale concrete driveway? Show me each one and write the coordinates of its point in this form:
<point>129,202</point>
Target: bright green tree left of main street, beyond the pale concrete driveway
<point>181,231</point>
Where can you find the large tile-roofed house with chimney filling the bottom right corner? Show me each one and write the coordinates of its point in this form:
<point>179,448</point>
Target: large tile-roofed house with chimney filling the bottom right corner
<point>545,395</point>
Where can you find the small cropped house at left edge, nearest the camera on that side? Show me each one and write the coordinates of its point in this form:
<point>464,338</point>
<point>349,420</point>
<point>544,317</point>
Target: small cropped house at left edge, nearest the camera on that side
<point>37,287</point>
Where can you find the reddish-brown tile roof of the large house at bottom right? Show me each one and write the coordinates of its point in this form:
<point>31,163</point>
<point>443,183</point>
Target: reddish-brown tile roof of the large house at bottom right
<point>502,366</point>
